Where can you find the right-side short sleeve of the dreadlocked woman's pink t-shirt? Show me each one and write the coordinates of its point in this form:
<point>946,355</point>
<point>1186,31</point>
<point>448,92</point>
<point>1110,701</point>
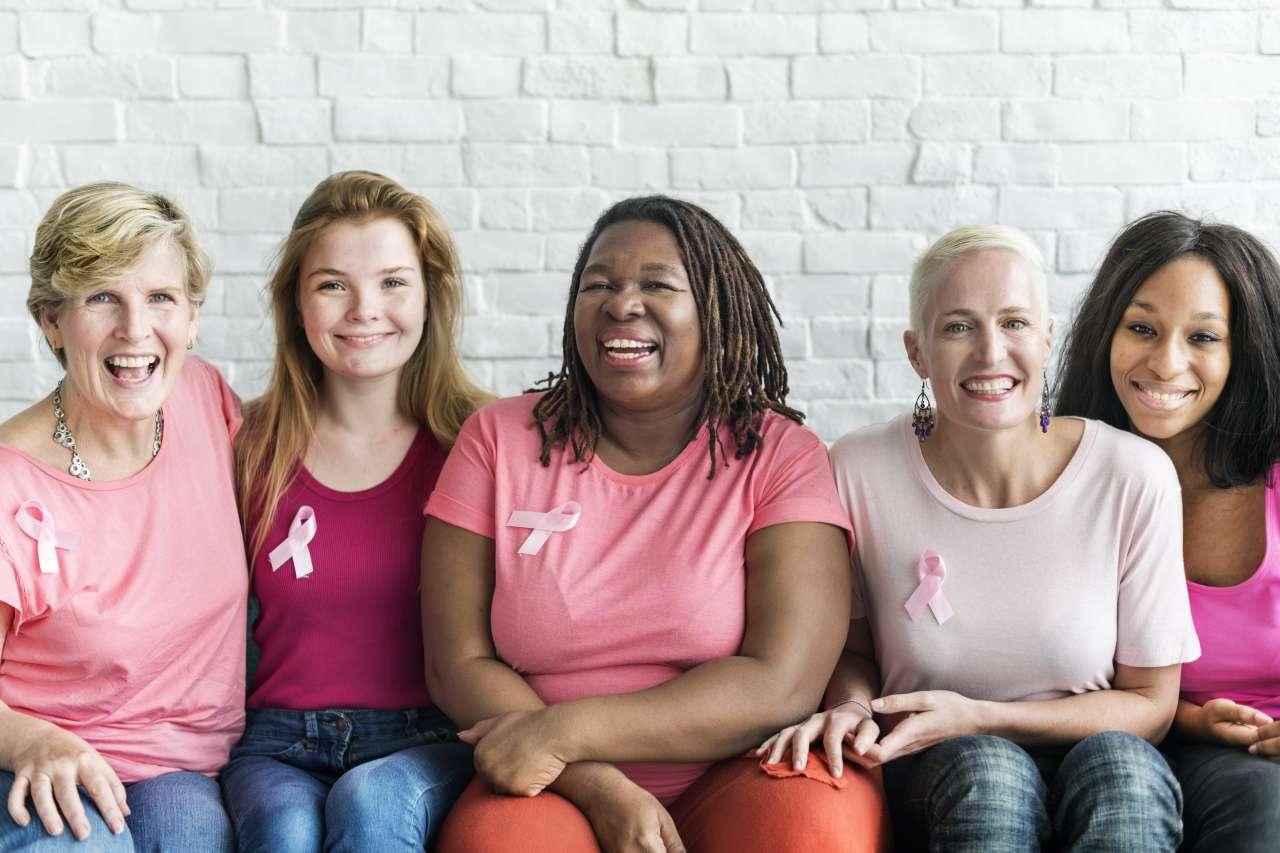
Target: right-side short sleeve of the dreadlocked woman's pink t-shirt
<point>799,486</point>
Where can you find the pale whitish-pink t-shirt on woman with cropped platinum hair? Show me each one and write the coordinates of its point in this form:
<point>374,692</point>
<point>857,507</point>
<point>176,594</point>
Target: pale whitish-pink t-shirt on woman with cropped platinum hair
<point>1049,596</point>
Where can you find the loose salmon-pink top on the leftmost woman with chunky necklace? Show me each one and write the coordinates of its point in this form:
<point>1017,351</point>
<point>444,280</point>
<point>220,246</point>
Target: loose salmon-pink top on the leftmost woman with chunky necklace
<point>138,642</point>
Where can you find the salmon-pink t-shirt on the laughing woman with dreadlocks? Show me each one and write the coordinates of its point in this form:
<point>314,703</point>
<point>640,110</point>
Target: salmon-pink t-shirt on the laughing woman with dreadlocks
<point>652,580</point>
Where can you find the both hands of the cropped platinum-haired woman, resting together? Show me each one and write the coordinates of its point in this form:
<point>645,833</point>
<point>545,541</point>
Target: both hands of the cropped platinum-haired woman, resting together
<point>926,718</point>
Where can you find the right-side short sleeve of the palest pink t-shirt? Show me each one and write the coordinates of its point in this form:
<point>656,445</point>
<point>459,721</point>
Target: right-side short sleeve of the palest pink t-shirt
<point>1154,613</point>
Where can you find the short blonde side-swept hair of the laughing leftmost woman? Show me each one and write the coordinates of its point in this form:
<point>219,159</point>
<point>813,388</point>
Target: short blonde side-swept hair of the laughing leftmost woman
<point>95,234</point>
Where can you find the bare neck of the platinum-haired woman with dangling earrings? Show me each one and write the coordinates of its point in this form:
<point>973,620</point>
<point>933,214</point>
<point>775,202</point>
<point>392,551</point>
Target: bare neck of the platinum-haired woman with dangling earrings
<point>990,468</point>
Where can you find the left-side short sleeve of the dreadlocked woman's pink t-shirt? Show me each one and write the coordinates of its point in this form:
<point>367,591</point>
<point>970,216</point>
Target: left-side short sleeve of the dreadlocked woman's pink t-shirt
<point>465,491</point>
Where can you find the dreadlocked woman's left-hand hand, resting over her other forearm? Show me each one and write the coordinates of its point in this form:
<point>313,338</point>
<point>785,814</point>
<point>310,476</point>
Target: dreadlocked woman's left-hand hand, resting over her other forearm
<point>518,752</point>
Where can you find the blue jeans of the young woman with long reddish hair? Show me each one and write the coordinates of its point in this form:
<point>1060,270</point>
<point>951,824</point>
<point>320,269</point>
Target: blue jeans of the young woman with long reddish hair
<point>344,781</point>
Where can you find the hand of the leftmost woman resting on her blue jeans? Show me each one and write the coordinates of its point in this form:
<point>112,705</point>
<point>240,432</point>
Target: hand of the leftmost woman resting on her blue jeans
<point>48,765</point>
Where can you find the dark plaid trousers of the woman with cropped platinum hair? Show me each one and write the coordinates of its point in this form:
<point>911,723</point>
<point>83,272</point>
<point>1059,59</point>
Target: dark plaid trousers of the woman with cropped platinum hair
<point>1110,792</point>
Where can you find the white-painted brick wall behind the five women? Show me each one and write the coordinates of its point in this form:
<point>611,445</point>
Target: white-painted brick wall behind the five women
<point>836,138</point>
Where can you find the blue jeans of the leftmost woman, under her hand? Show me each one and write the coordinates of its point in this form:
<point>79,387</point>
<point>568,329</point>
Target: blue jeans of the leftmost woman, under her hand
<point>180,811</point>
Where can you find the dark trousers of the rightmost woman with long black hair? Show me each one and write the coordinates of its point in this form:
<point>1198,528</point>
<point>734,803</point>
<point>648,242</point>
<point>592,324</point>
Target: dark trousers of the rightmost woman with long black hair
<point>1233,799</point>
